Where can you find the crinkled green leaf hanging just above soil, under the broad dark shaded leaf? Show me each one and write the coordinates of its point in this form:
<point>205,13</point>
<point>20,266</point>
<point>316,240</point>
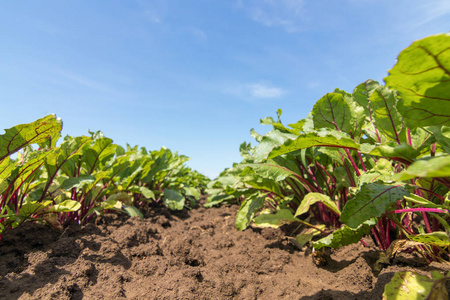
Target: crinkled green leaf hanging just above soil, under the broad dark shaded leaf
<point>345,235</point>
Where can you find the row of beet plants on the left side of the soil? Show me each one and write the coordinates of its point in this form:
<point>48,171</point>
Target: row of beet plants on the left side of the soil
<point>85,176</point>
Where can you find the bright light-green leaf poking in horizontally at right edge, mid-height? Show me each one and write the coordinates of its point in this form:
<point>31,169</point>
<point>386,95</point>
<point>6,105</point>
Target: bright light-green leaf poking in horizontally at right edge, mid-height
<point>427,167</point>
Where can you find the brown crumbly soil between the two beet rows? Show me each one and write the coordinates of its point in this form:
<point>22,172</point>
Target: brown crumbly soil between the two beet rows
<point>196,254</point>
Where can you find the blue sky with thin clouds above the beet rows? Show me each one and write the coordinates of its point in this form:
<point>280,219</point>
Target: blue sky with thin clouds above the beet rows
<point>195,76</point>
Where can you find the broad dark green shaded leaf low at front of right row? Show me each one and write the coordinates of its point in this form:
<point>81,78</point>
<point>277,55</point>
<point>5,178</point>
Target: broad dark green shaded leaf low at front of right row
<point>372,200</point>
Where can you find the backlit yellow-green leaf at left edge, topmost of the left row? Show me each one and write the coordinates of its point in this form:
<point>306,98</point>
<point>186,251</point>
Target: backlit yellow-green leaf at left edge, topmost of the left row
<point>36,132</point>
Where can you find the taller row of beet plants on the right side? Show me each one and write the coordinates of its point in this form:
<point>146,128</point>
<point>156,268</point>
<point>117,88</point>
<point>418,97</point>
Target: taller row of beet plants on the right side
<point>375,161</point>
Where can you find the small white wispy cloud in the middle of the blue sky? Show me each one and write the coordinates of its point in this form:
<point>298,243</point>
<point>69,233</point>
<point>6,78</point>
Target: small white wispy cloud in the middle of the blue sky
<point>254,91</point>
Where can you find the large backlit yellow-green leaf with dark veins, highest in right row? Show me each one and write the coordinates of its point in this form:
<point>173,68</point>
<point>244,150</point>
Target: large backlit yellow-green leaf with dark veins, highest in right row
<point>422,78</point>
